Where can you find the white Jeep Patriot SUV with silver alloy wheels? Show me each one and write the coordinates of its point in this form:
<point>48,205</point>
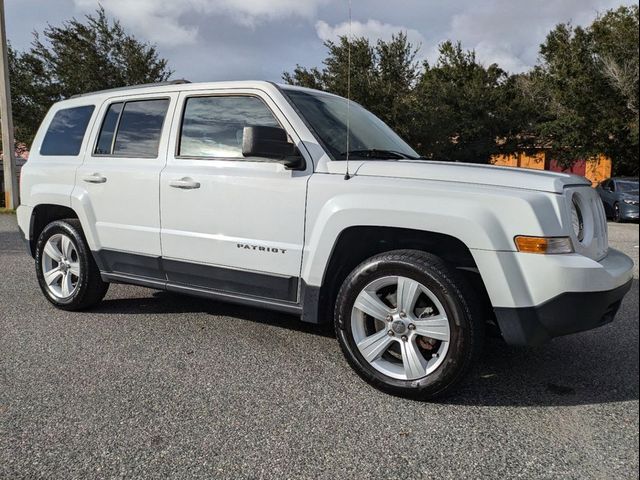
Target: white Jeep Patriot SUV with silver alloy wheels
<point>244,192</point>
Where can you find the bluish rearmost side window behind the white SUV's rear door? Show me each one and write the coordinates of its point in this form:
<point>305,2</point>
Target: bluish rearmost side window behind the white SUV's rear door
<point>66,131</point>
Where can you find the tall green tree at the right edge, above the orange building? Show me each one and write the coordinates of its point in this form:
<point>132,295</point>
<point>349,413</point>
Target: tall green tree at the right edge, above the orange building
<point>587,86</point>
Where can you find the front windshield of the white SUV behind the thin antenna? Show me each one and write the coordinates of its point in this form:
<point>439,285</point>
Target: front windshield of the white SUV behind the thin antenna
<point>369,136</point>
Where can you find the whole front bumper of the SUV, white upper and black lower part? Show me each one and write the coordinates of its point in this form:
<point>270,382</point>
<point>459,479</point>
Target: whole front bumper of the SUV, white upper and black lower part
<point>538,297</point>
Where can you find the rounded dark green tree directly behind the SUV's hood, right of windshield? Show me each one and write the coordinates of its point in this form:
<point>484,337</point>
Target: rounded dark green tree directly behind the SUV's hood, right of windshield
<point>469,112</point>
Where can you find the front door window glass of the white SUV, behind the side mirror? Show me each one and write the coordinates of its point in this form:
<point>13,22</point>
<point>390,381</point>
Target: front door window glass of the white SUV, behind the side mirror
<point>212,126</point>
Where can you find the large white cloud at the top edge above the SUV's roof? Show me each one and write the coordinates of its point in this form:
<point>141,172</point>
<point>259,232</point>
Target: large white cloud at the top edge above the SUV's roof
<point>160,21</point>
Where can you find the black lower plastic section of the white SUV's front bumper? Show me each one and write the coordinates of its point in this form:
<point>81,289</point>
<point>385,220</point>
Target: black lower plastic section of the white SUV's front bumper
<point>565,314</point>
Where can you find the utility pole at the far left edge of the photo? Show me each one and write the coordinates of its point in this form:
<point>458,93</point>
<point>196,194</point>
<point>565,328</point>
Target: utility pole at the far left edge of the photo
<point>8,145</point>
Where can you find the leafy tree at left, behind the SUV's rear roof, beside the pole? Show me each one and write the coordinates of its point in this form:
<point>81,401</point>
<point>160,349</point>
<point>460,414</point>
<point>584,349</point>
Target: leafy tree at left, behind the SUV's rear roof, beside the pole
<point>77,57</point>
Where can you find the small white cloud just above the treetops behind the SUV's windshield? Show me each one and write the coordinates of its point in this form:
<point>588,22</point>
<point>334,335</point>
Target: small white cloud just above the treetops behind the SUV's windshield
<point>371,29</point>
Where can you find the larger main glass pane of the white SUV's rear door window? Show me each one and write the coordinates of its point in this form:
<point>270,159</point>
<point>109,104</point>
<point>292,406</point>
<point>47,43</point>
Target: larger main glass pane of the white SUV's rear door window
<point>140,127</point>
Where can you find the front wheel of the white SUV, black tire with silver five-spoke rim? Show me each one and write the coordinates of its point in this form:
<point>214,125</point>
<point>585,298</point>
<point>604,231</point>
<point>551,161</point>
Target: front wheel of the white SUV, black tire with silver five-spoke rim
<point>408,324</point>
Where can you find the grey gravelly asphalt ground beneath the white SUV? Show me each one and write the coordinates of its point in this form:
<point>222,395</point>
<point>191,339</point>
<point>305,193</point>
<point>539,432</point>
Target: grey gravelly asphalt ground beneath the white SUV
<point>155,385</point>
